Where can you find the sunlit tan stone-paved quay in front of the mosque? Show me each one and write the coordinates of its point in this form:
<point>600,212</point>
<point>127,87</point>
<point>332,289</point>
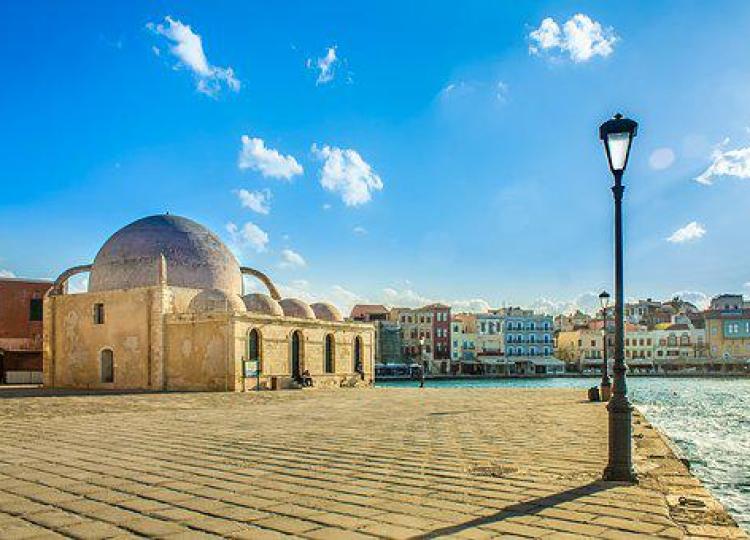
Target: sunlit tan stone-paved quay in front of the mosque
<point>389,463</point>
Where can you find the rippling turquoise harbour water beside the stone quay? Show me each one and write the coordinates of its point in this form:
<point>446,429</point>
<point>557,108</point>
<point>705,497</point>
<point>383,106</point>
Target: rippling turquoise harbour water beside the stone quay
<point>707,418</point>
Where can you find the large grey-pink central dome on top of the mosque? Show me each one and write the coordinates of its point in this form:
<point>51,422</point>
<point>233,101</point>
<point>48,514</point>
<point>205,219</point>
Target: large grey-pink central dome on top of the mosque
<point>195,257</point>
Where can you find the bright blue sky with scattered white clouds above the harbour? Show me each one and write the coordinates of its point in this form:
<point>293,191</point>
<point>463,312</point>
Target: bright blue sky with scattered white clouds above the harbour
<point>394,152</point>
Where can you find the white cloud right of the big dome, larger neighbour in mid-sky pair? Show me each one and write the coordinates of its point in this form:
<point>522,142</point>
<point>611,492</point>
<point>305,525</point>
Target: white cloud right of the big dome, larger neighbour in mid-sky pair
<point>346,173</point>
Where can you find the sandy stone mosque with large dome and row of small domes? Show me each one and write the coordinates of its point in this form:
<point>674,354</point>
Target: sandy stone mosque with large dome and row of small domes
<point>166,309</point>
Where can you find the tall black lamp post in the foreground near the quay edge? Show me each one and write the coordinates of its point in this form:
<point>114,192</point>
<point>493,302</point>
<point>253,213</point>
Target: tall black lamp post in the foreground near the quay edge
<point>617,135</point>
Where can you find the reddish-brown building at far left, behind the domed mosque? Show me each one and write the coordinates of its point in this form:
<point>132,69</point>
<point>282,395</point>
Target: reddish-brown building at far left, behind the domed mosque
<point>21,329</point>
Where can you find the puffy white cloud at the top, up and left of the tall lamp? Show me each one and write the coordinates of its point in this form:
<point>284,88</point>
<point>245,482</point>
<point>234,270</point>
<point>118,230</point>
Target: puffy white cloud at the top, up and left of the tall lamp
<point>580,37</point>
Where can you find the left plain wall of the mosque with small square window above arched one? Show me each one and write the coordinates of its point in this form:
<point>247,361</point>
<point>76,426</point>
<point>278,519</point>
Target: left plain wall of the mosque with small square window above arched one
<point>74,340</point>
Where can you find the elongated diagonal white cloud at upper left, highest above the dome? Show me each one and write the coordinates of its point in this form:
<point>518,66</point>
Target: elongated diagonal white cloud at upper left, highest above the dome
<point>187,46</point>
